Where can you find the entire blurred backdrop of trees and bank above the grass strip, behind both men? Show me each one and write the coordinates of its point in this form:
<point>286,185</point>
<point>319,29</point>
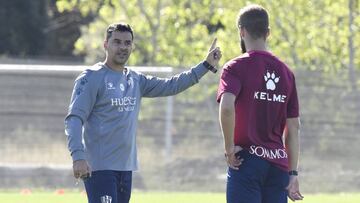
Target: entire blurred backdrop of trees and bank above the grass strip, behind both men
<point>44,44</point>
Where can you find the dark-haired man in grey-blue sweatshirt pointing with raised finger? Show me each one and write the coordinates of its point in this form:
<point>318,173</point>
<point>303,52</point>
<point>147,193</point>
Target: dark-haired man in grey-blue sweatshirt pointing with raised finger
<point>104,110</point>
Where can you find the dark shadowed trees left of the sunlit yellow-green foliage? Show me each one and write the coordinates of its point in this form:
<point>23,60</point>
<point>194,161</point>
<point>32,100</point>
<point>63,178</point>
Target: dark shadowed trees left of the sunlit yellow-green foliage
<point>36,29</point>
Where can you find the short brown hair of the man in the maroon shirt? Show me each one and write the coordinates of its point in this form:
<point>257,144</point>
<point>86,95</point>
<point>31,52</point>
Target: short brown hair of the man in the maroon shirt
<point>254,18</point>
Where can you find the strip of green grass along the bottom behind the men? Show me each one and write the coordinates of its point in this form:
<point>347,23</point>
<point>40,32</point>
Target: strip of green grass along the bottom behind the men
<point>158,197</point>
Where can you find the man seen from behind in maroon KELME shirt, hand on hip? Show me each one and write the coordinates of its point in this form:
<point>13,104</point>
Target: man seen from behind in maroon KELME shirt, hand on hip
<point>259,110</point>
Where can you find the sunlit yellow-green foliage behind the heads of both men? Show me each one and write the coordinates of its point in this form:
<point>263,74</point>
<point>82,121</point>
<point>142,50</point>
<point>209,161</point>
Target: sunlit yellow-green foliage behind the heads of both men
<point>177,33</point>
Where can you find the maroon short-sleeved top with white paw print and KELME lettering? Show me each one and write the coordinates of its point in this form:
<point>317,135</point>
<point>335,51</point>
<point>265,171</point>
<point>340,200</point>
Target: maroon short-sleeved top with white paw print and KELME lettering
<point>266,96</point>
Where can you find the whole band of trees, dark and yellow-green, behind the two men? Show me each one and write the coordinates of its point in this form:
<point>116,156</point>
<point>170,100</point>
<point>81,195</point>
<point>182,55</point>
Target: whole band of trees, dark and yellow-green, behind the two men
<point>305,32</point>
